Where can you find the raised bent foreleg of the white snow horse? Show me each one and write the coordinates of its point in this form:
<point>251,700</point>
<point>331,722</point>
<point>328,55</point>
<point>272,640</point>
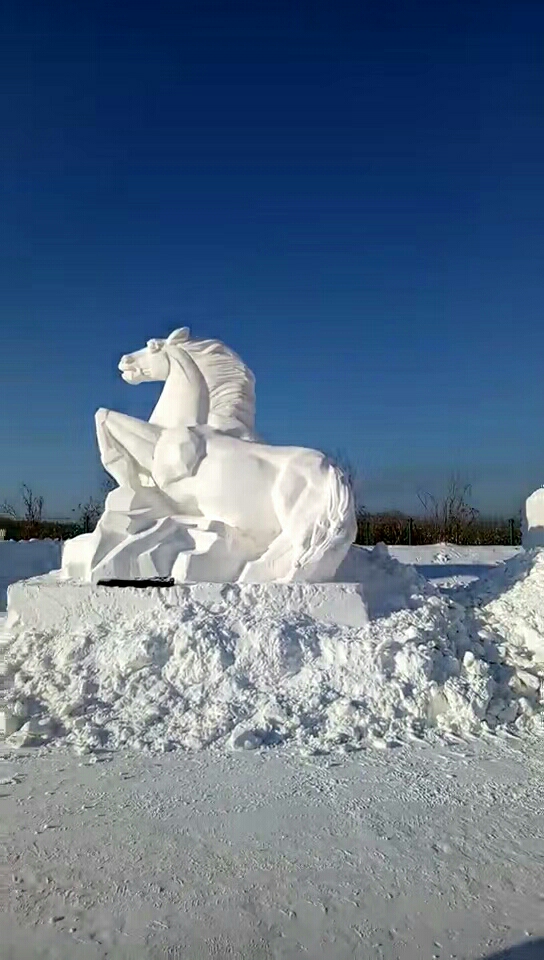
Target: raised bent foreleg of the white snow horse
<point>126,445</point>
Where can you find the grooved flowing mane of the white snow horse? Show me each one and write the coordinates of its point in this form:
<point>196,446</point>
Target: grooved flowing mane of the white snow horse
<point>231,386</point>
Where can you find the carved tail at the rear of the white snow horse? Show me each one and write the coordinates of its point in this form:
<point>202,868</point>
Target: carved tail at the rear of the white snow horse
<point>333,530</point>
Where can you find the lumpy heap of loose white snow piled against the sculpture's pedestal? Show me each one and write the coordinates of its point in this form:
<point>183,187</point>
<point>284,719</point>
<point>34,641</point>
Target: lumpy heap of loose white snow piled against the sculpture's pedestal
<point>247,674</point>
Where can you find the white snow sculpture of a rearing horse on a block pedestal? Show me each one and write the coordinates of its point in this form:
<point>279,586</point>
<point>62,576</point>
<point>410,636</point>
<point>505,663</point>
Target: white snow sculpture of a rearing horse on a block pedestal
<point>199,497</point>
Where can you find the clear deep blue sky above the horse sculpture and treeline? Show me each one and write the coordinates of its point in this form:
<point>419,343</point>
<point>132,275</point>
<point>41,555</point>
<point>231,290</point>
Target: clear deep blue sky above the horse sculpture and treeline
<point>349,194</point>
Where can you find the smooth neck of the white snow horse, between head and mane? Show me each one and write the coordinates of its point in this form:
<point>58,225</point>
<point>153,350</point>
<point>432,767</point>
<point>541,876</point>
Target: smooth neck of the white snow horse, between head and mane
<point>184,400</point>
